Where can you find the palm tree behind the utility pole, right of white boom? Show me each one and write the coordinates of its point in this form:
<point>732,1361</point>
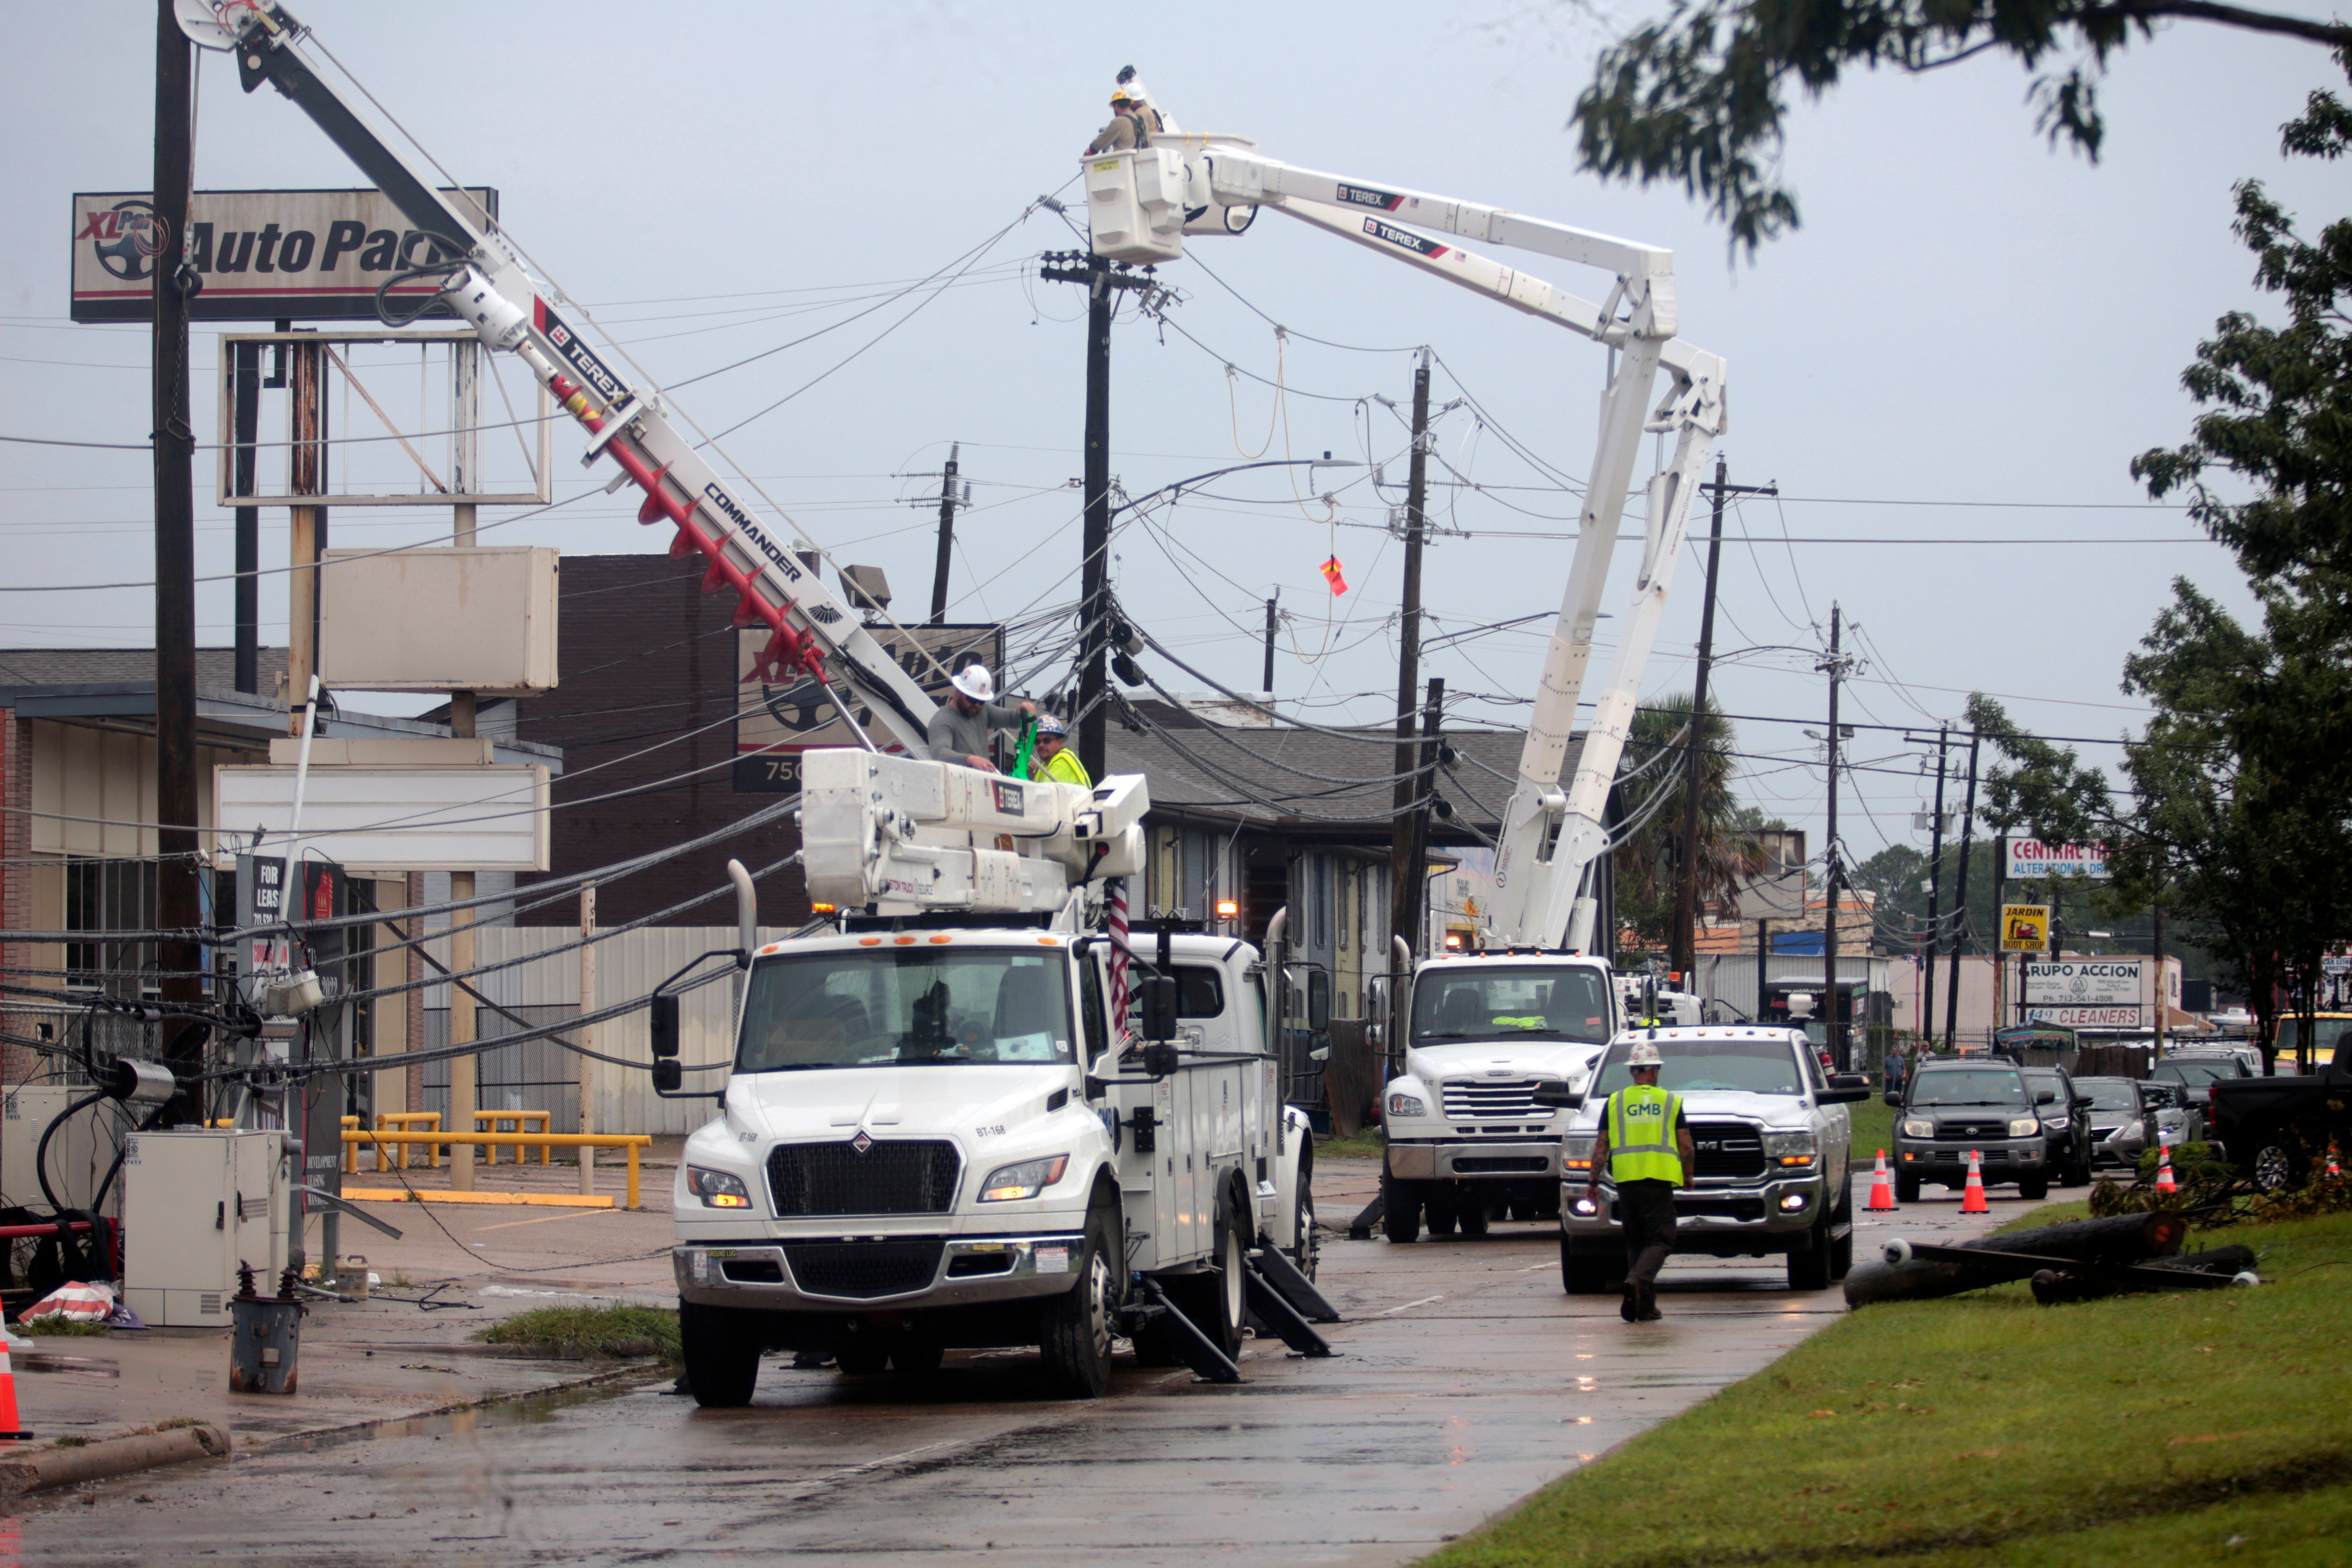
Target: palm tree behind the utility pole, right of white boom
<point>1652,855</point>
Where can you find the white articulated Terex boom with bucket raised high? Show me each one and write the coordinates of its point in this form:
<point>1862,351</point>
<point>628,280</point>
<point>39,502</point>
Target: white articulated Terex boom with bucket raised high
<point>1140,208</point>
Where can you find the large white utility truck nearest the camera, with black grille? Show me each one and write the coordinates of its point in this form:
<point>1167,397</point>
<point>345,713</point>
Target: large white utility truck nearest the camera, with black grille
<point>930,1141</point>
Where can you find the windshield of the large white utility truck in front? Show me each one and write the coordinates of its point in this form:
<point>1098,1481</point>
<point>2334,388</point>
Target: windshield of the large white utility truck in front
<point>878,1010</point>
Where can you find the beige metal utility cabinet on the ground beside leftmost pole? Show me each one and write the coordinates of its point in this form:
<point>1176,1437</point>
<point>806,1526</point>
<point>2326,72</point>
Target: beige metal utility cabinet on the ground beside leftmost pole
<point>196,1205</point>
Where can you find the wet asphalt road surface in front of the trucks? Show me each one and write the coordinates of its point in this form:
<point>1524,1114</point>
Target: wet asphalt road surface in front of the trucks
<point>1466,1379</point>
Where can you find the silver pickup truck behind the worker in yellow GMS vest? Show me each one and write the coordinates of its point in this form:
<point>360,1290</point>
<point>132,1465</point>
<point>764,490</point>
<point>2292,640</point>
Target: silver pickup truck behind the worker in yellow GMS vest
<point>1775,1151</point>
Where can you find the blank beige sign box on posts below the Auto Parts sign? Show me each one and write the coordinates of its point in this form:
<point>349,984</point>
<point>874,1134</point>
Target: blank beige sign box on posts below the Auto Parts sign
<point>453,619</point>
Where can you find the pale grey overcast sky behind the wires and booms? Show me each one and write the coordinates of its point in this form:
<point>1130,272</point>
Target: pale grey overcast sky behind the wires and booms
<point>1949,366</point>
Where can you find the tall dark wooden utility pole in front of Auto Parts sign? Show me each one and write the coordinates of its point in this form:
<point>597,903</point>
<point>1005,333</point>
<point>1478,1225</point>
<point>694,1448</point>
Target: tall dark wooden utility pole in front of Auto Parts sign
<point>178,894</point>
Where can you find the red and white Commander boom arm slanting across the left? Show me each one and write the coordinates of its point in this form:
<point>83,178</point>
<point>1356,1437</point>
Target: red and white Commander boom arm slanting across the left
<point>813,634</point>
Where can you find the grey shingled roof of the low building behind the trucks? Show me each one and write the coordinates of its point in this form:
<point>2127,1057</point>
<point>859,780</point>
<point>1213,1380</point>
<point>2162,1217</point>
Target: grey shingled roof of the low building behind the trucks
<point>1318,779</point>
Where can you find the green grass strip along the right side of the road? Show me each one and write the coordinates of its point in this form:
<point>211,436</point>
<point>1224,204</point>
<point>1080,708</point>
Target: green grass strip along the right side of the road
<point>1991,1430</point>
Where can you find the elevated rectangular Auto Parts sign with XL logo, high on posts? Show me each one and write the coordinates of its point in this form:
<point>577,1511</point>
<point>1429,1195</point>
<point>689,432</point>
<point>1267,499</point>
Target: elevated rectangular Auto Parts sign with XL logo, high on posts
<point>262,255</point>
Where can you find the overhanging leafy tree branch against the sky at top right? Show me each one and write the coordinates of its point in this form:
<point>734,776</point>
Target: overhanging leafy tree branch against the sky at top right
<point>1702,95</point>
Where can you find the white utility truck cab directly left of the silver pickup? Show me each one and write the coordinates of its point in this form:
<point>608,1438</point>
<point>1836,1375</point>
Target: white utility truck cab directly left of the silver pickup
<point>1483,1033</point>
